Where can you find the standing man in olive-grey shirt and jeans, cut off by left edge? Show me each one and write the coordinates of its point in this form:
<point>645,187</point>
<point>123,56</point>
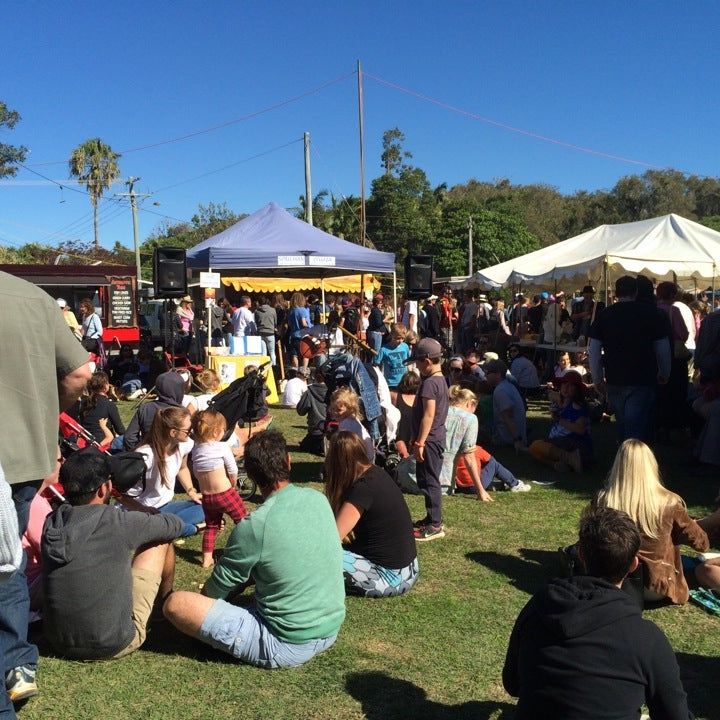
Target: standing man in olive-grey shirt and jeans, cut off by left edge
<point>38,354</point>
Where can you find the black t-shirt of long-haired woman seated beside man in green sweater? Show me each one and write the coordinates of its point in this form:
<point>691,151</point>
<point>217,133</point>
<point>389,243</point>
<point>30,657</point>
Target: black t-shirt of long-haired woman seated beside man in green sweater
<point>383,534</point>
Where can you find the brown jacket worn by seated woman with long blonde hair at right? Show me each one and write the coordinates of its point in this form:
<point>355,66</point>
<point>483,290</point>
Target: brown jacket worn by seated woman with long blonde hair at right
<point>661,557</point>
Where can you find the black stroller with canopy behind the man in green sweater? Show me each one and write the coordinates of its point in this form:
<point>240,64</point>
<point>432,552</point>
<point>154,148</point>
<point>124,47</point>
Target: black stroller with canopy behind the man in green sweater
<point>243,401</point>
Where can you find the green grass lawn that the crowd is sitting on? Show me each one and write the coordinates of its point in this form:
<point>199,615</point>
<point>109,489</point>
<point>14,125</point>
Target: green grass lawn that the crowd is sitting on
<point>436,653</point>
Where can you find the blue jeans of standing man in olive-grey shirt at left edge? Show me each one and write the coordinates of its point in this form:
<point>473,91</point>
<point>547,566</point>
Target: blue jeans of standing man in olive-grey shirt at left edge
<point>15,650</point>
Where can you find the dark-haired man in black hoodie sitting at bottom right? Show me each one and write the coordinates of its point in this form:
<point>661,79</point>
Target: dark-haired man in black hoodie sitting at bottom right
<point>580,648</point>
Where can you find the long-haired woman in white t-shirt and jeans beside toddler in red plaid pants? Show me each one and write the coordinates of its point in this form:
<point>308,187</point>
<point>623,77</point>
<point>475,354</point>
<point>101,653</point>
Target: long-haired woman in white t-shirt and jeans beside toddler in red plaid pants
<point>166,448</point>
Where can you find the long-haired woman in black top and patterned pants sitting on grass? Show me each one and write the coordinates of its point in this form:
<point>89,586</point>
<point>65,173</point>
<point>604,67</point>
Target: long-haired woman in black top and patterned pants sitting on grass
<point>373,521</point>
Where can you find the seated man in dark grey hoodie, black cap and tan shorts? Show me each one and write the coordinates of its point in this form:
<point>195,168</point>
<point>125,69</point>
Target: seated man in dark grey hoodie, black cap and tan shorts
<point>103,569</point>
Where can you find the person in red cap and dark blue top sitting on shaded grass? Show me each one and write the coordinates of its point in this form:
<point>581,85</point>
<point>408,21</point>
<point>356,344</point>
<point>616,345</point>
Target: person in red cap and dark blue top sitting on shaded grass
<point>568,445</point>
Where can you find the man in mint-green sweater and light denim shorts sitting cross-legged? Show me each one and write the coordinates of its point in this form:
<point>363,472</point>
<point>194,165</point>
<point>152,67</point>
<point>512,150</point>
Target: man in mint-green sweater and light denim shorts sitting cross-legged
<point>290,550</point>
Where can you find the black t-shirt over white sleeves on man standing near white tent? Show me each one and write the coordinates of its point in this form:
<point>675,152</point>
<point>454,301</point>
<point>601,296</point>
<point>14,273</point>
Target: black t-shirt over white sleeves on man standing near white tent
<point>627,331</point>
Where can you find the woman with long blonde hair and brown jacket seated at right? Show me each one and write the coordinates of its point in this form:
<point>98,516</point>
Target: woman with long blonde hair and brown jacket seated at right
<point>634,486</point>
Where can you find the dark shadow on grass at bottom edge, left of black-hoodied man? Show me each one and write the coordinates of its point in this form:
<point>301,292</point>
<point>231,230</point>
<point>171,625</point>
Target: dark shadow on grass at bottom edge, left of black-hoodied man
<point>386,698</point>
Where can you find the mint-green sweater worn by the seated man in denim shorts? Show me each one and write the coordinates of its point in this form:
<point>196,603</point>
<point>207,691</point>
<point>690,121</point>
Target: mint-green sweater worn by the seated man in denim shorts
<point>290,547</point>
